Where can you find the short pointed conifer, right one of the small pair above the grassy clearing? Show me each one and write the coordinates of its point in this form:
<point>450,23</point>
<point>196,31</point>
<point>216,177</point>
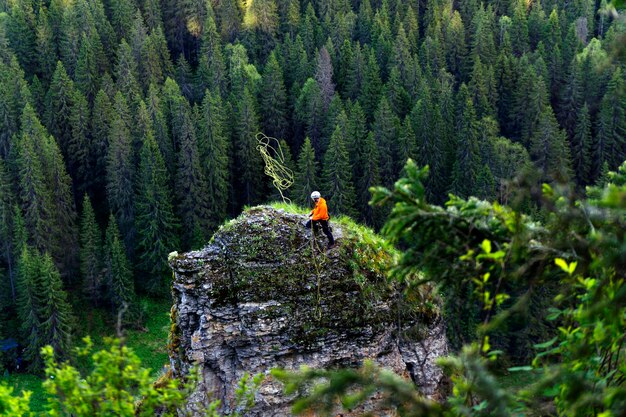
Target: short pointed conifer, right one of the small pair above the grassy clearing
<point>118,274</point>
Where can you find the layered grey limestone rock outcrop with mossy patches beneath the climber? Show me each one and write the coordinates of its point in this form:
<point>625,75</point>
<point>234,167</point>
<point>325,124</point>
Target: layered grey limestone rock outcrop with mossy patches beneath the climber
<point>263,294</point>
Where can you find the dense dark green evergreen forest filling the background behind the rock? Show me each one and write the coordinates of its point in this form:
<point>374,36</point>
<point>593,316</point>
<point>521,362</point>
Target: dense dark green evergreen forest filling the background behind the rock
<point>127,127</point>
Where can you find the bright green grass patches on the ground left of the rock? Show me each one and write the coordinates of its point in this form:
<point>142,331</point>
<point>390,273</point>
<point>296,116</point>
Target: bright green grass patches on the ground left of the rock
<point>149,343</point>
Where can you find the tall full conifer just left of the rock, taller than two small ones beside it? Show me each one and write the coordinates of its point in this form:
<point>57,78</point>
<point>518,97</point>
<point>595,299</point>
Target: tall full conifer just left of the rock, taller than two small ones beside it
<point>155,223</point>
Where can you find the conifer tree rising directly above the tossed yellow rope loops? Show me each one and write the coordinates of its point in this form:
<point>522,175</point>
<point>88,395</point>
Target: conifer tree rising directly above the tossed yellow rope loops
<point>273,100</point>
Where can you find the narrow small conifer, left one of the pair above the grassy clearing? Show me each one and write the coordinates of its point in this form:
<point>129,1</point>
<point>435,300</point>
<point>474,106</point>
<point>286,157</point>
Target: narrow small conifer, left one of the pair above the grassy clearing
<point>90,253</point>
